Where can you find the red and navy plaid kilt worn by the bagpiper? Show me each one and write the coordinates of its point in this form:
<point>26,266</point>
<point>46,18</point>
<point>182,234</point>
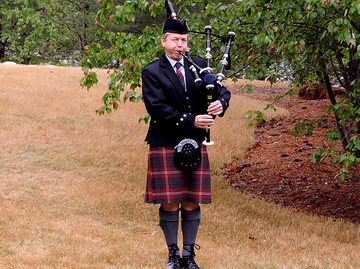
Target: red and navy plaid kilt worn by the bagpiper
<point>167,184</point>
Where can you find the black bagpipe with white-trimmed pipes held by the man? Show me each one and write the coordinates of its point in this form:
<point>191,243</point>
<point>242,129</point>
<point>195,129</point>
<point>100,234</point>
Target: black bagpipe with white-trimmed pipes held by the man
<point>204,76</point>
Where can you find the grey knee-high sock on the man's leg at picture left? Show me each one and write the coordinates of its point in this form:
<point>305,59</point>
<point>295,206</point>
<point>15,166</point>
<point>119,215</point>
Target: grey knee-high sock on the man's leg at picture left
<point>169,223</point>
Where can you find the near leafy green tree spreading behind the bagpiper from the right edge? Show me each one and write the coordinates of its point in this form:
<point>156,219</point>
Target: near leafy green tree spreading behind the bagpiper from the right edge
<point>314,40</point>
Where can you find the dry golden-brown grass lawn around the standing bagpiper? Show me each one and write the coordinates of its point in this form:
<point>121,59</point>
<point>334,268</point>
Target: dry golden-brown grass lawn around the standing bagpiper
<point>72,183</point>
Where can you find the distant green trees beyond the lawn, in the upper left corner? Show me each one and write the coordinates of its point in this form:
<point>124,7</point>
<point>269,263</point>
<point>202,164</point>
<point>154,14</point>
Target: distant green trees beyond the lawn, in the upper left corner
<point>46,31</point>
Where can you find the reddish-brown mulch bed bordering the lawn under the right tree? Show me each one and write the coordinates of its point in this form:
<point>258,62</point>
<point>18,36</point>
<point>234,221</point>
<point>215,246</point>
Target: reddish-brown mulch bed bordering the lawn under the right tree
<point>277,168</point>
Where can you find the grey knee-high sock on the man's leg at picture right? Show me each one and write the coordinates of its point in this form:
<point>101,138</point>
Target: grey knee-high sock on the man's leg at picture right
<point>190,221</point>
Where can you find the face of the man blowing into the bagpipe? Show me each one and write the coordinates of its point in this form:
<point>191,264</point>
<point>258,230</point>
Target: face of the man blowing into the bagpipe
<point>173,44</point>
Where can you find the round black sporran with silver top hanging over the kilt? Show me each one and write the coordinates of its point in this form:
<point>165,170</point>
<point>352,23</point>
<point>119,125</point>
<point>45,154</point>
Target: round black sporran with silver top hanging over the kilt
<point>187,154</point>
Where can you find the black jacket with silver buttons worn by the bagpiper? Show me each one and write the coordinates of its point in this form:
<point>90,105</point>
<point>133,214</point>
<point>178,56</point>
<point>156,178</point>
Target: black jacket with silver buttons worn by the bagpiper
<point>172,110</point>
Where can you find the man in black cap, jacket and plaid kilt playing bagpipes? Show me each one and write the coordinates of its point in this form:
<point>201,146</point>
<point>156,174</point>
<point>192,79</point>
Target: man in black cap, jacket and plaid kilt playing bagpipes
<point>178,110</point>
